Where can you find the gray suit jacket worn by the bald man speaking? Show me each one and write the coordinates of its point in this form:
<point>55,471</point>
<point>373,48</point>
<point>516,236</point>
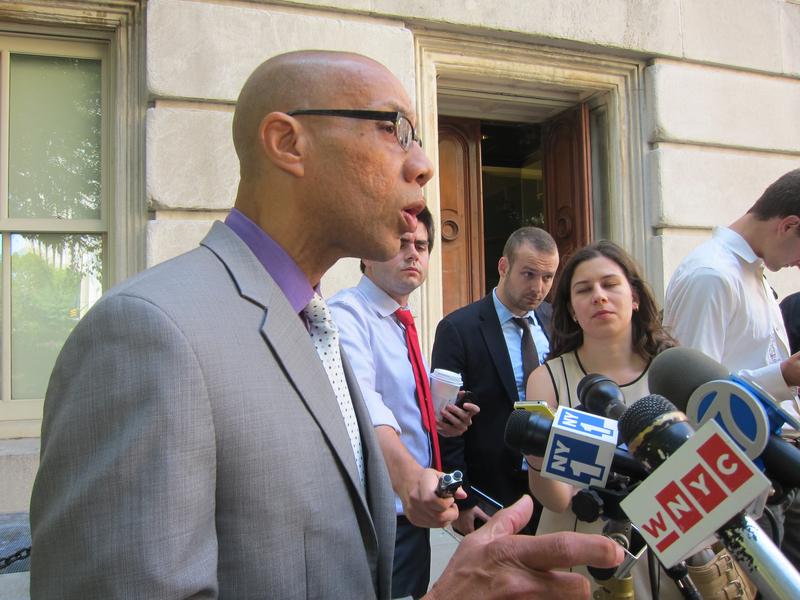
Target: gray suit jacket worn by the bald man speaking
<point>193,447</point>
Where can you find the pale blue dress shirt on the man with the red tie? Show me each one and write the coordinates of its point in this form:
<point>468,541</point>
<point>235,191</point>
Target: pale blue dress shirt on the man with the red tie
<point>375,344</point>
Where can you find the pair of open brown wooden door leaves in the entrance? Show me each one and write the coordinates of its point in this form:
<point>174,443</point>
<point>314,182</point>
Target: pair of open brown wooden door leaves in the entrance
<point>469,257</point>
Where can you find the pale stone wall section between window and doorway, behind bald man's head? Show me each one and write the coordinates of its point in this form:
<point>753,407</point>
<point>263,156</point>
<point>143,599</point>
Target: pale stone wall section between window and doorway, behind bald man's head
<point>199,55</point>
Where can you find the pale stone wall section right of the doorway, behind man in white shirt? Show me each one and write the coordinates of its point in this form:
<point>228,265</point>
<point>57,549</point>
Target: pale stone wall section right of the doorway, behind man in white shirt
<point>717,138</point>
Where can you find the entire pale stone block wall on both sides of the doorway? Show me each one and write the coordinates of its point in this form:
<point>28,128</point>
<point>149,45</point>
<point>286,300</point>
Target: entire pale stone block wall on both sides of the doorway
<point>721,106</point>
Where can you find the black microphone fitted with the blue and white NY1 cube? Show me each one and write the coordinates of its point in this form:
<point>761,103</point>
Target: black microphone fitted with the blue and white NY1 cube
<point>529,433</point>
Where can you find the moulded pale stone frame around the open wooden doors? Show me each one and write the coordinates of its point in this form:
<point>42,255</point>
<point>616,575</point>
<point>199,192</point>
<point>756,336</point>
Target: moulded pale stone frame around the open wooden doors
<point>489,79</point>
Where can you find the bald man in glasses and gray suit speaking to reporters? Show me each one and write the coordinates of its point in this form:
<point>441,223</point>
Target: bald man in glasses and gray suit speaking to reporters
<point>203,435</point>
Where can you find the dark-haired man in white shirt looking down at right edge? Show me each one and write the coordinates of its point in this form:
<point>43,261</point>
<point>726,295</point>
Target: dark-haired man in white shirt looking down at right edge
<point>719,302</point>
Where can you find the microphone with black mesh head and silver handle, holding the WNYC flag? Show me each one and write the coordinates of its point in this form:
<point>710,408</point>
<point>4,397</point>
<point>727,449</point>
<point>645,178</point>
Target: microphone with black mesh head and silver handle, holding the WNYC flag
<point>654,428</point>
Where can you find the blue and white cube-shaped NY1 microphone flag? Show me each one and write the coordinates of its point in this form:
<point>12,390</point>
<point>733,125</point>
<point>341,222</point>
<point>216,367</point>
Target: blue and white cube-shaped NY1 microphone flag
<point>580,448</point>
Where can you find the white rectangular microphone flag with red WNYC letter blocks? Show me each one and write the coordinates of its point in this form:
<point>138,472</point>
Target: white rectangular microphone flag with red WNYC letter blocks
<point>682,503</point>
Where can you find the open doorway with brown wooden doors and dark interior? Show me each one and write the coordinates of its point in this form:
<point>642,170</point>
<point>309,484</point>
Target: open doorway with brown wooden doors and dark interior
<point>497,176</point>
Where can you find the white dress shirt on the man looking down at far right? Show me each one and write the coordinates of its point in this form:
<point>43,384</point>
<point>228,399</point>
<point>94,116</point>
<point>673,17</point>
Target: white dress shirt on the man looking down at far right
<point>719,302</point>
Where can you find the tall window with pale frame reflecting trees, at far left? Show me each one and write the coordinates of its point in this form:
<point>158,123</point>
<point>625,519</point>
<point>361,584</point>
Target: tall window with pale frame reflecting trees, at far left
<point>54,205</point>
